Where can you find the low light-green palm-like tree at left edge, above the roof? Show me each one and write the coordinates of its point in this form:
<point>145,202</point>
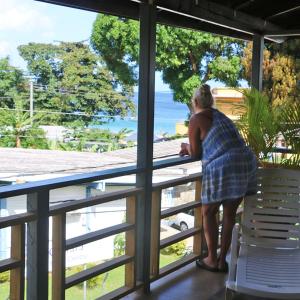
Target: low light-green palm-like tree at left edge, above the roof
<point>16,129</point>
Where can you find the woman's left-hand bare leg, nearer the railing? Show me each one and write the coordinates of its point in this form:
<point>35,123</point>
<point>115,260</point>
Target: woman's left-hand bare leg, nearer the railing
<point>210,226</point>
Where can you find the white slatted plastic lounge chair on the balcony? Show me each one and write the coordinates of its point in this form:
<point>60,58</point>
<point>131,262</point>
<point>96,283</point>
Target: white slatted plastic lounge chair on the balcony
<point>265,261</point>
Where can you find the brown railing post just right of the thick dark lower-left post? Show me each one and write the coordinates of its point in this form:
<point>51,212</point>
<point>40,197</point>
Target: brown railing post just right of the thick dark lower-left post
<point>58,256</point>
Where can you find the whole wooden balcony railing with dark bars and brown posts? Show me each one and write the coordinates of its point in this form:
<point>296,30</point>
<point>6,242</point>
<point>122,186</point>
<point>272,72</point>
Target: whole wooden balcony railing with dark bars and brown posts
<point>30,234</point>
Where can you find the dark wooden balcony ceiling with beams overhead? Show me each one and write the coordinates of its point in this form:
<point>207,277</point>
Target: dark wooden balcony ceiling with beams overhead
<point>236,18</point>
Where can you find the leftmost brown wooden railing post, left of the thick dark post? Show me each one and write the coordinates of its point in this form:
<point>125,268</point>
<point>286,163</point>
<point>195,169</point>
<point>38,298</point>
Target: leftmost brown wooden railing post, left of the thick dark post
<point>17,252</point>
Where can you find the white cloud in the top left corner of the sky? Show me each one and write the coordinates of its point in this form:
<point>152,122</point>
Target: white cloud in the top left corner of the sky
<point>22,16</point>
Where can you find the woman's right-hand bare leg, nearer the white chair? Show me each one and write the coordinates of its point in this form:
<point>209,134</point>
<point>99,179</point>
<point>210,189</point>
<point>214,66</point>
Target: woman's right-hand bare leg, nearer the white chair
<point>229,213</point>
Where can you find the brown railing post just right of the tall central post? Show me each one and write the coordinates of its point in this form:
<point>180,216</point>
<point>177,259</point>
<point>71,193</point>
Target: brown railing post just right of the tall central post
<point>155,233</point>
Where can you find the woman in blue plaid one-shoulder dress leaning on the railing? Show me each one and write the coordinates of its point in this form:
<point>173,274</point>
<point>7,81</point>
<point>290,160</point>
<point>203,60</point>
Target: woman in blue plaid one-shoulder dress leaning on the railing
<point>229,173</point>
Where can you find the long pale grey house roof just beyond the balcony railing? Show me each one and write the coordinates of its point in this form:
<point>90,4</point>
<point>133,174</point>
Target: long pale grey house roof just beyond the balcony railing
<point>19,164</point>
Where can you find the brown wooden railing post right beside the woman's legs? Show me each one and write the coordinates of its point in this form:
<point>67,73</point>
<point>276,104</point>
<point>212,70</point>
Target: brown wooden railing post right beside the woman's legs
<point>197,246</point>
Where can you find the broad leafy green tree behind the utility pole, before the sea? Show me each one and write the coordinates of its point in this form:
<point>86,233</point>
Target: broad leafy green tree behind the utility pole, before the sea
<point>72,80</point>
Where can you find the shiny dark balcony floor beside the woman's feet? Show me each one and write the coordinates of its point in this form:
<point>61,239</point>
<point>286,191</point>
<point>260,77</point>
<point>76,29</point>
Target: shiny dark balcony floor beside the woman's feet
<point>188,283</point>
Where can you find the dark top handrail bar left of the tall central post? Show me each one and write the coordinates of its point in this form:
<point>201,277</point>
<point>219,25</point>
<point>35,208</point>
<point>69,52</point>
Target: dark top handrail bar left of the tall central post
<point>55,183</point>
